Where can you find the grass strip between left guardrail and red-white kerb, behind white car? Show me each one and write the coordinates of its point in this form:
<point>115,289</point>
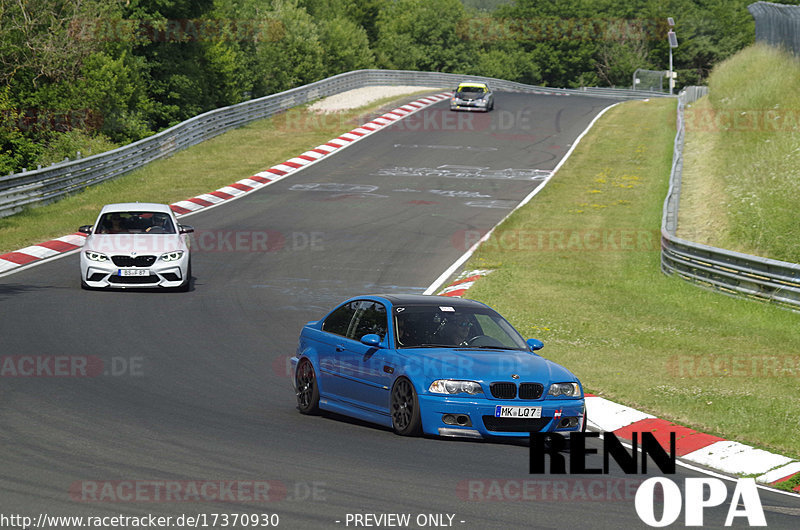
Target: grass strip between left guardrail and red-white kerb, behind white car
<point>200,169</point>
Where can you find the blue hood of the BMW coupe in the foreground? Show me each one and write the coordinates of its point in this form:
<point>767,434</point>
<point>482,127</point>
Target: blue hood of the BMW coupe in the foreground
<point>481,365</point>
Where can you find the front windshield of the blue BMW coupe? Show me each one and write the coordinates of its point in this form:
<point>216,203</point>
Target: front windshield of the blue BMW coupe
<point>429,326</point>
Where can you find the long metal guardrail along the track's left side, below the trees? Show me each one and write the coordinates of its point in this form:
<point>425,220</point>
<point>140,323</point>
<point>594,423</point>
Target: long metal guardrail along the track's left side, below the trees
<point>44,185</point>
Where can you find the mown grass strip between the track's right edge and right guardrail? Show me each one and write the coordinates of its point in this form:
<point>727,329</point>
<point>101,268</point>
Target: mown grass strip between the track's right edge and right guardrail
<point>579,268</point>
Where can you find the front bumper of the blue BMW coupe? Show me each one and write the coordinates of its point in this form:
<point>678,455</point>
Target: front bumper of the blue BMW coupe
<point>483,422</point>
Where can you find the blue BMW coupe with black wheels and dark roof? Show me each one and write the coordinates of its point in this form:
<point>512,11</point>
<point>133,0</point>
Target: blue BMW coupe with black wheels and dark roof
<point>434,365</point>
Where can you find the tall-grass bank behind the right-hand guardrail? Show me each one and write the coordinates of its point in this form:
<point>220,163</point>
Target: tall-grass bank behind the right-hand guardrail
<point>742,167</point>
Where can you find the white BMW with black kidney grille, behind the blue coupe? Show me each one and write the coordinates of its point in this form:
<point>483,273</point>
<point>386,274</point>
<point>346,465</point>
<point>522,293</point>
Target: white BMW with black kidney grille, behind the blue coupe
<point>136,245</point>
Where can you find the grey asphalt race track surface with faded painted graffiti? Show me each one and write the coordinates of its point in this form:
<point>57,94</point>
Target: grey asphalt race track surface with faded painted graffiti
<point>192,388</point>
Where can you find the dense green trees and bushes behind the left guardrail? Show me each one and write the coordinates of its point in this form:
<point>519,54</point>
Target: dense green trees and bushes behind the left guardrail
<point>91,74</point>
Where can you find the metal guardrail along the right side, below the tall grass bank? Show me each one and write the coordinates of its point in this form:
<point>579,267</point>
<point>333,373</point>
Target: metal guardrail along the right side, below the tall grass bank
<point>724,270</point>
